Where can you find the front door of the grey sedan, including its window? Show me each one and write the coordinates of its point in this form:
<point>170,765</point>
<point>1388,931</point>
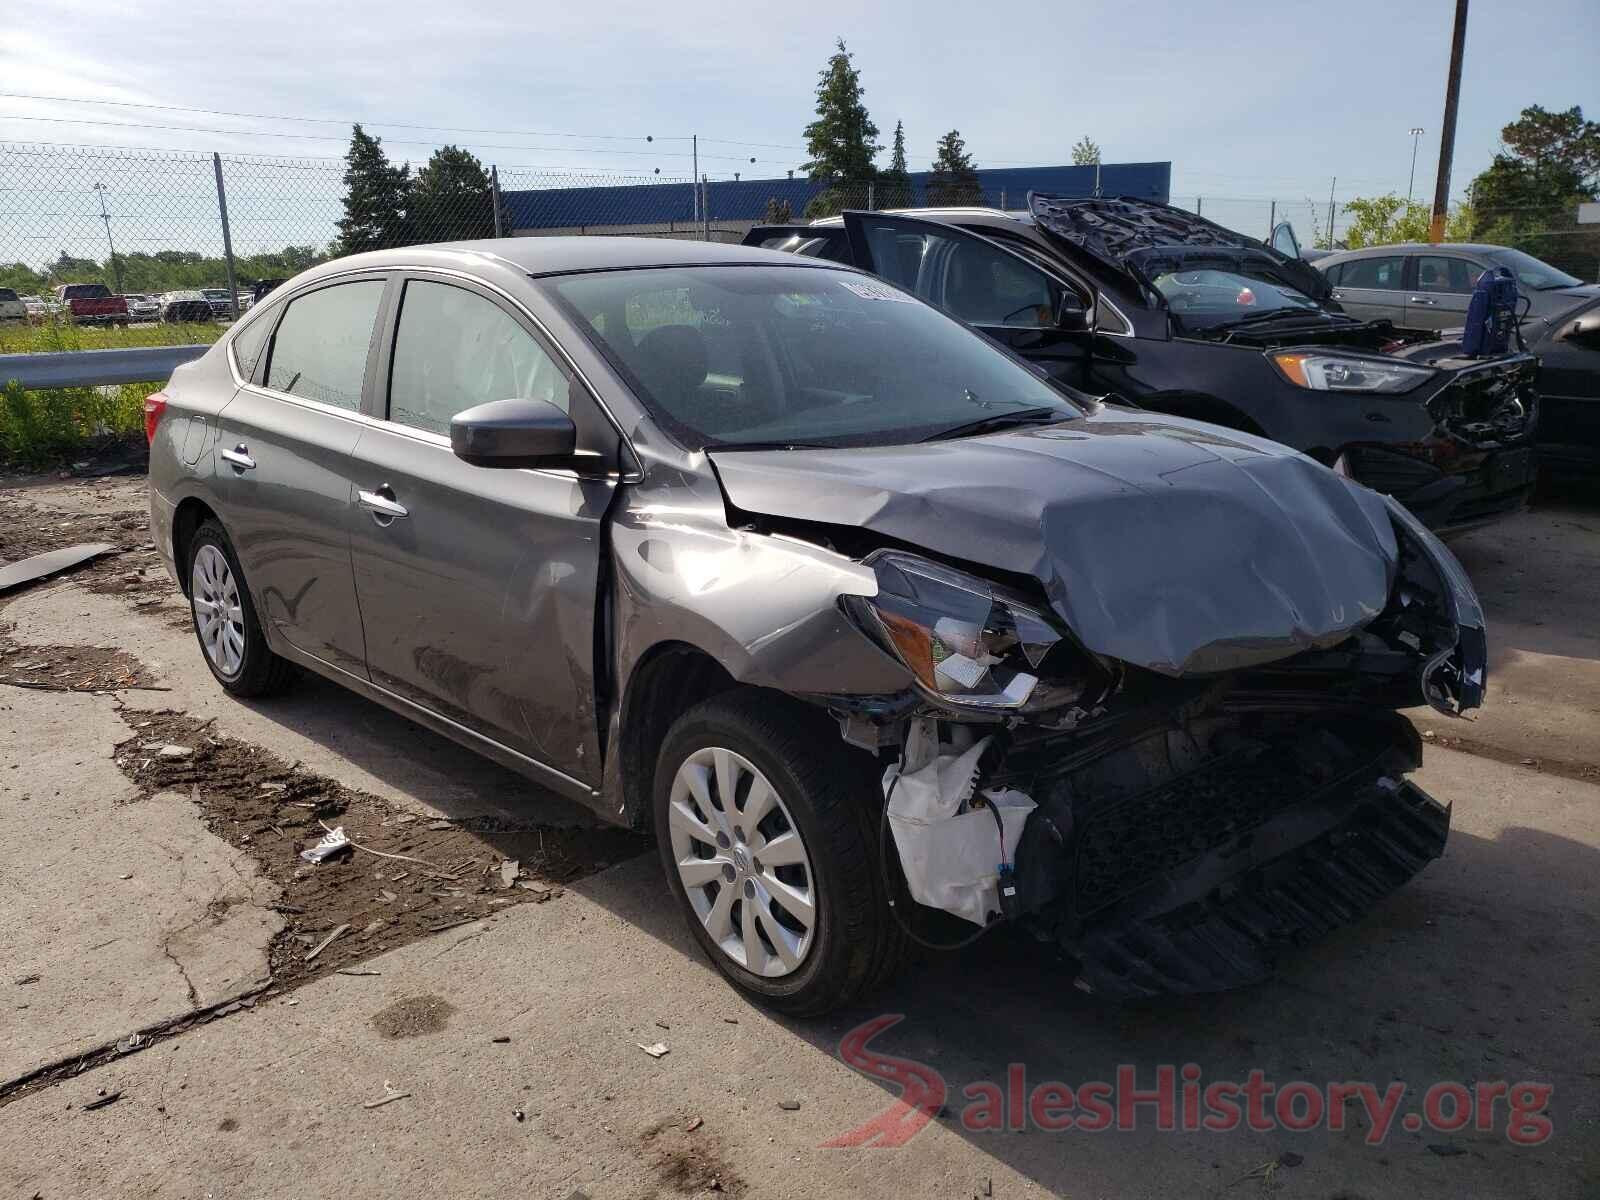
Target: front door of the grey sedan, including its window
<point>478,585</point>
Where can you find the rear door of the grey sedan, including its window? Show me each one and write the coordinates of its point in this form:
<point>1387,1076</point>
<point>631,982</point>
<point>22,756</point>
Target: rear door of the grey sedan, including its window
<point>284,468</point>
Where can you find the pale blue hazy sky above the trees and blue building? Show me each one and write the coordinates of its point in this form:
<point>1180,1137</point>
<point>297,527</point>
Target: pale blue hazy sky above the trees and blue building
<point>1250,102</point>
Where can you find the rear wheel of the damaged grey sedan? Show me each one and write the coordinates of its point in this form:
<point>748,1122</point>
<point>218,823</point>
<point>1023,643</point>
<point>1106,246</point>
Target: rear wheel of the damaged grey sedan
<point>231,641</point>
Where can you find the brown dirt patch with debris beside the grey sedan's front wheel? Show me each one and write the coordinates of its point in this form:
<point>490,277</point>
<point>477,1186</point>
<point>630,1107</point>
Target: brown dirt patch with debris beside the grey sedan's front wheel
<point>406,878</point>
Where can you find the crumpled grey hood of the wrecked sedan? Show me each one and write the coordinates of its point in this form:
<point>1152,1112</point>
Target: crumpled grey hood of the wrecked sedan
<point>1164,543</point>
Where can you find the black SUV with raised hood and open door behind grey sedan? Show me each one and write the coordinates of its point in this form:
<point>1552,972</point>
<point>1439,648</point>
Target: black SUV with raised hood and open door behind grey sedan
<point>1162,310</point>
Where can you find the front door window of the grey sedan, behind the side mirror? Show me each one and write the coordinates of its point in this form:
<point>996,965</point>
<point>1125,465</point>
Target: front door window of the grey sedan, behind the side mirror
<point>457,350</point>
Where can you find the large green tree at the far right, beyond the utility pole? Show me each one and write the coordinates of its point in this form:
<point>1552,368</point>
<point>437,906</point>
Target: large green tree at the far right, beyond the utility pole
<point>1529,196</point>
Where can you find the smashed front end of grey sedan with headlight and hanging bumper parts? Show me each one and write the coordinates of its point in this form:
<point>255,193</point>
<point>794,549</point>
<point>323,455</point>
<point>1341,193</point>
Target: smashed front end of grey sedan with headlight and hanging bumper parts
<point>1172,833</point>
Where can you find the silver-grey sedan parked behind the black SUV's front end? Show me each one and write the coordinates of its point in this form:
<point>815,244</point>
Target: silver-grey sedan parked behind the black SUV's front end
<point>1425,289</point>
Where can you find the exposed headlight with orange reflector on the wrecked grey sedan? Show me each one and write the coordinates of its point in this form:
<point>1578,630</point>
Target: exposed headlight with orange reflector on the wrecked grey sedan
<point>966,641</point>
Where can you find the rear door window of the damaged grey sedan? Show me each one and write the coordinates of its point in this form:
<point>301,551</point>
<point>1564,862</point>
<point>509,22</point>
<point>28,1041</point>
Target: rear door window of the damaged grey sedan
<point>321,346</point>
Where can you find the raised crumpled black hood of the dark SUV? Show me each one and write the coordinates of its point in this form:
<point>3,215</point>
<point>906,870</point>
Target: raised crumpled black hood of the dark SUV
<point>1145,239</point>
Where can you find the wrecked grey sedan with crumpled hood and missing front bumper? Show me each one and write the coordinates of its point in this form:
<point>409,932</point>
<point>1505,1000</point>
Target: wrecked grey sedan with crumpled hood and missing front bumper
<point>884,636</point>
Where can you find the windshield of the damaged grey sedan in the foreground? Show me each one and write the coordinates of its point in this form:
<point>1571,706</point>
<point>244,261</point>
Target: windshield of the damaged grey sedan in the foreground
<point>798,356</point>
